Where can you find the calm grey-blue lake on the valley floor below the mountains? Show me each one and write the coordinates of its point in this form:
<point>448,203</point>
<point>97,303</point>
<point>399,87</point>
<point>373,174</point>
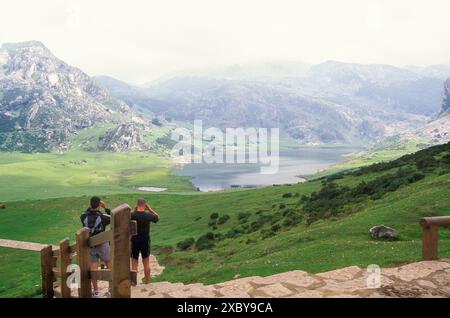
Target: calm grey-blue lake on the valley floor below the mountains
<point>294,163</point>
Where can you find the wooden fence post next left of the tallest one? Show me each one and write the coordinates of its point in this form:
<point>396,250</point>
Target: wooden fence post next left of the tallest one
<point>84,290</point>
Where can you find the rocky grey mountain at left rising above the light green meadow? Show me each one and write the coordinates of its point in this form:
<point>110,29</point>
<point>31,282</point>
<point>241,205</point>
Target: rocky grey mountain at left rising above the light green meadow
<point>44,101</point>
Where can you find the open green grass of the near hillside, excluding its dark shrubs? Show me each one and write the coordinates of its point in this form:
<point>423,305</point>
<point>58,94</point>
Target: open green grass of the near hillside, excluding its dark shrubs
<point>327,244</point>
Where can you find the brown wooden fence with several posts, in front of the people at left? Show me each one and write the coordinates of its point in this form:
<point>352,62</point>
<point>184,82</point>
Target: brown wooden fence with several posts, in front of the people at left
<point>120,277</point>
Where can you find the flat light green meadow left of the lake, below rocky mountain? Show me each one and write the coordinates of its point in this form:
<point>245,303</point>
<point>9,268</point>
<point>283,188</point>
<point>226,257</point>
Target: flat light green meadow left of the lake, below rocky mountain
<point>47,175</point>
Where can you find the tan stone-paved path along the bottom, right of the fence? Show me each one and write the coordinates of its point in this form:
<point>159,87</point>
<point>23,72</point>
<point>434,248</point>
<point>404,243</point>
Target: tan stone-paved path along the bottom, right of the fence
<point>422,279</point>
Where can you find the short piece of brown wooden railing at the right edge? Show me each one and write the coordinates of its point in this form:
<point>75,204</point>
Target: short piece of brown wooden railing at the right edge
<point>430,243</point>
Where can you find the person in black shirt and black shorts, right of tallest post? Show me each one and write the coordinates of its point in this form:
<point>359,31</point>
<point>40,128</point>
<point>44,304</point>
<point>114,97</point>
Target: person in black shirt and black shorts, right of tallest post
<point>140,243</point>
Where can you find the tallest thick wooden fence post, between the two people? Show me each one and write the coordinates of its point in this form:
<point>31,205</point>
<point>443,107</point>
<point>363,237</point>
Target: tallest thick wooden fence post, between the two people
<point>120,252</point>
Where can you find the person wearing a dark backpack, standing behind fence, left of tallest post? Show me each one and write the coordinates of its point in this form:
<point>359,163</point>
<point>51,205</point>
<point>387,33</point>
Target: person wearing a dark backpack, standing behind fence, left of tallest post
<point>96,222</point>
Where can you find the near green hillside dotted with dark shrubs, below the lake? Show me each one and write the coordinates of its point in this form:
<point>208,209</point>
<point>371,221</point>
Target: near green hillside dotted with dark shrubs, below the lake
<point>316,226</point>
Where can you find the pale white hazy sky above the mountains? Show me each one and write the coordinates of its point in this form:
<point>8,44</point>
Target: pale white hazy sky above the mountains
<point>140,40</point>
